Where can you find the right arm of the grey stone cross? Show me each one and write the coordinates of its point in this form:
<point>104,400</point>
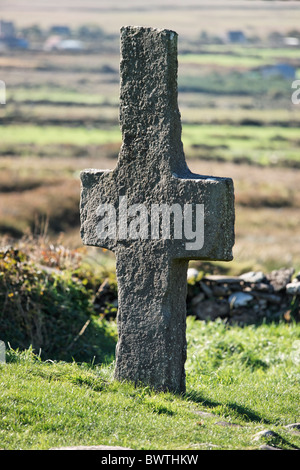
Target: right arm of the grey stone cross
<point>208,216</point>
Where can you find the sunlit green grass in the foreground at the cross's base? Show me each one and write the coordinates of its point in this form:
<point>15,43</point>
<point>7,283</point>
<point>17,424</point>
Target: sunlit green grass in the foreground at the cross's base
<point>245,376</point>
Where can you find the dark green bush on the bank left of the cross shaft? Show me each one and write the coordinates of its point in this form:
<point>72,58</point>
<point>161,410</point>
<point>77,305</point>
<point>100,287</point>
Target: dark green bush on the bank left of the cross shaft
<point>49,310</point>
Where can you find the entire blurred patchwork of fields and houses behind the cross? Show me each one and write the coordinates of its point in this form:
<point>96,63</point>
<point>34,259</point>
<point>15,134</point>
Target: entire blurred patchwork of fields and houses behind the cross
<point>237,62</point>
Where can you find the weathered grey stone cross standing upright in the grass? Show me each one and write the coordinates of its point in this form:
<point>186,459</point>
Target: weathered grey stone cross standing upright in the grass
<point>121,210</point>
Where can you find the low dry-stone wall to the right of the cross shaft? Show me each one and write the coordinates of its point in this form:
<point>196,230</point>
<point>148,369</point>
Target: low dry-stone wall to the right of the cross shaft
<point>249,298</point>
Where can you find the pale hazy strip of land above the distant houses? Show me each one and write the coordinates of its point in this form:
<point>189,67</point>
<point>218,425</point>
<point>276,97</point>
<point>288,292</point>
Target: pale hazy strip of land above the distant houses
<point>188,19</point>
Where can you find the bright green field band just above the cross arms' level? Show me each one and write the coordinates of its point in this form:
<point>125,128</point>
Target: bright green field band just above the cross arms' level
<point>256,144</point>
